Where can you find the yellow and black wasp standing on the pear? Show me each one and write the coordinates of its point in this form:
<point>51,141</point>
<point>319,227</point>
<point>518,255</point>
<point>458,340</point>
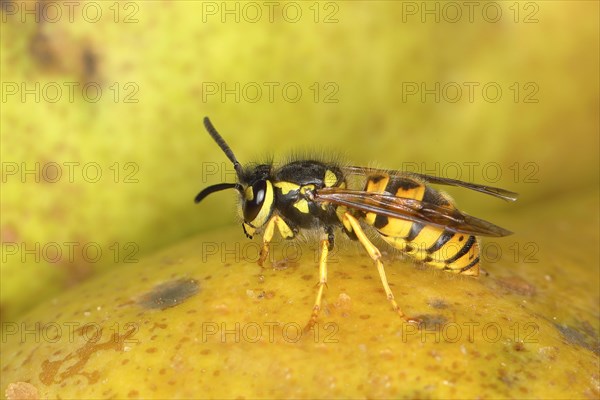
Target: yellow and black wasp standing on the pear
<point>401,207</point>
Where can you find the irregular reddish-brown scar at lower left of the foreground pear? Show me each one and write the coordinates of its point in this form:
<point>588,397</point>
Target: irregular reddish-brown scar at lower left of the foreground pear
<point>73,363</point>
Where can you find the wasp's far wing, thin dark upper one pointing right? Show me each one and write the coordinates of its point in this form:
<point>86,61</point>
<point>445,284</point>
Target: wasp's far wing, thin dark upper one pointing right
<point>492,191</point>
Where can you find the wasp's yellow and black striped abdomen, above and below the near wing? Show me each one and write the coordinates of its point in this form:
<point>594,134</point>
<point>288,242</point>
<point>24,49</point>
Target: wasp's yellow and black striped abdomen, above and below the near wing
<point>438,247</point>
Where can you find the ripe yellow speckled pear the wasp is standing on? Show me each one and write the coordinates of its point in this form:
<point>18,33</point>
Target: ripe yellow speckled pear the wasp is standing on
<point>201,320</point>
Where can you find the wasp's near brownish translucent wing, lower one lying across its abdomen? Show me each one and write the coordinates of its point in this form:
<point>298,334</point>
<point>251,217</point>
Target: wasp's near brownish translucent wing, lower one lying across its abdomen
<point>391,206</point>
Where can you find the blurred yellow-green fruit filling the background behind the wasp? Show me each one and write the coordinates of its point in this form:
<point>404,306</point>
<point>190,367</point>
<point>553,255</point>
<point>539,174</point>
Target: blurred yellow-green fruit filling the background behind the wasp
<point>103,148</point>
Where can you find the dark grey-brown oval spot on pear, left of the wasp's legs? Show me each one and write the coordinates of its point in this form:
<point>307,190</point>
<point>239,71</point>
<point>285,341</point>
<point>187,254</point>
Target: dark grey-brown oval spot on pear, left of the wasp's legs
<point>169,294</point>
